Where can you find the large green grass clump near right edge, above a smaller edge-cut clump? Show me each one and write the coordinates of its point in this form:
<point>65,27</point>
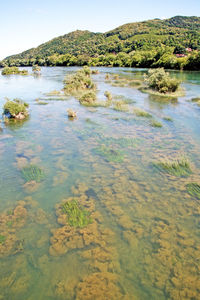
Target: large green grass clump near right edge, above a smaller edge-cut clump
<point>179,167</point>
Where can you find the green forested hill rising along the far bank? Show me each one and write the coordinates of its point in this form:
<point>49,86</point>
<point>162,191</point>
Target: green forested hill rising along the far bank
<point>134,44</point>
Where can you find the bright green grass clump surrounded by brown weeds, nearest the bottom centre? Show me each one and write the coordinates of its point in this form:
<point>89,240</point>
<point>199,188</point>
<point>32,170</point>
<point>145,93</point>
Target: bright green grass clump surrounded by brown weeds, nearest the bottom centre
<point>77,216</point>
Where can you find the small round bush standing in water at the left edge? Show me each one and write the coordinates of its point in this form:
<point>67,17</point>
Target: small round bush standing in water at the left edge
<point>15,109</point>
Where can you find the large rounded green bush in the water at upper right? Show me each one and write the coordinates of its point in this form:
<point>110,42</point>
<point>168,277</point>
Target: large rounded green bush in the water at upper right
<point>160,81</point>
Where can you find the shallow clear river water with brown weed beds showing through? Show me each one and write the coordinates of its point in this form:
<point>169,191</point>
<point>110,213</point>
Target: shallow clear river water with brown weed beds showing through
<point>152,243</point>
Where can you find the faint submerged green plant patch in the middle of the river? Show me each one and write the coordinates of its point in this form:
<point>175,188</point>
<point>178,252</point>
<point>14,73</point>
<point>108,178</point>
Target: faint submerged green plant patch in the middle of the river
<point>110,154</point>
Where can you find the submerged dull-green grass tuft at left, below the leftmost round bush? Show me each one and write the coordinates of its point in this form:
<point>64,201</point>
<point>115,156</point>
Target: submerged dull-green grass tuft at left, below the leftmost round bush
<point>32,173</point>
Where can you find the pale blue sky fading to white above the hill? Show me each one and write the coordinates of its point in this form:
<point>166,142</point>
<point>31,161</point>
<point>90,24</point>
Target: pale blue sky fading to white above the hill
<point>26,24</point>
